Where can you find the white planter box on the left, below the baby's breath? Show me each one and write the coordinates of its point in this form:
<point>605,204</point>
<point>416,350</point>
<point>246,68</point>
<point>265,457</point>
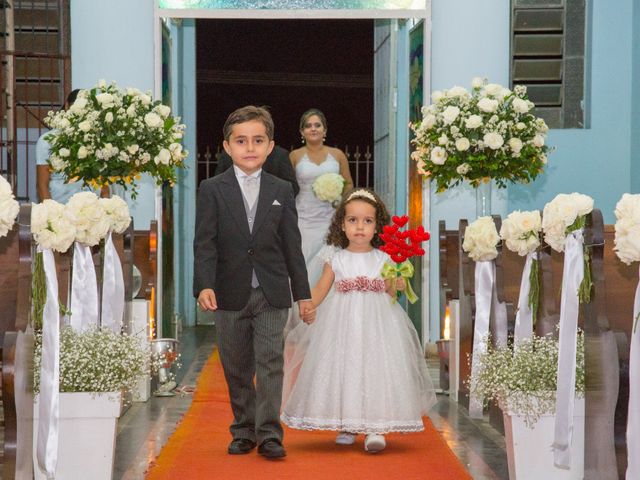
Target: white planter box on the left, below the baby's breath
<point>87,436</point>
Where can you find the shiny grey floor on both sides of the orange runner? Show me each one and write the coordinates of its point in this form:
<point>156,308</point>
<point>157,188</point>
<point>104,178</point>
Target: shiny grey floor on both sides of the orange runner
<point>145,427</point>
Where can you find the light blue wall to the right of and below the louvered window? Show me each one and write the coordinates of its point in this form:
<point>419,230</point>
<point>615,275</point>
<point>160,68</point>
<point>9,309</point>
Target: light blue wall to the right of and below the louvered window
<point>597,161</point>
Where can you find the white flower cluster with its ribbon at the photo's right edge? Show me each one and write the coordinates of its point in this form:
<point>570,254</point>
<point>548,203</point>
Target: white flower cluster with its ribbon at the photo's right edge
<point>627,248</point>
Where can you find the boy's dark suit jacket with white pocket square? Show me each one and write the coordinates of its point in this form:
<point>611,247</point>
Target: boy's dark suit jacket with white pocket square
<point>226,252</point>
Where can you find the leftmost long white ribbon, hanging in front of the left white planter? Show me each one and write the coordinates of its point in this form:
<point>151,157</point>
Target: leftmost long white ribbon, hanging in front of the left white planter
<point>48,405</point>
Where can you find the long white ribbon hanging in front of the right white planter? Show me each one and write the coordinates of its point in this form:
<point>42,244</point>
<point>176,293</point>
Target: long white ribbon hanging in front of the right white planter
<point>572,275</point>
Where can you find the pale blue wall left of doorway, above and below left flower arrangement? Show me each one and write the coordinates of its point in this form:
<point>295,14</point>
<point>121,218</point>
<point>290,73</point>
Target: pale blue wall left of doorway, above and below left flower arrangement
<point>114,41</point>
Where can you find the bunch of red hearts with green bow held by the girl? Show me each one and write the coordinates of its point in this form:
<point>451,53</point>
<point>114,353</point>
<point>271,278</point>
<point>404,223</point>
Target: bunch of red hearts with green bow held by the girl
<point>401,245</point>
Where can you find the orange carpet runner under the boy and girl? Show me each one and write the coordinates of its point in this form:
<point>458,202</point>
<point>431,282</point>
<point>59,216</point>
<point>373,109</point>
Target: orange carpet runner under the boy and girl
<point>198,448</point>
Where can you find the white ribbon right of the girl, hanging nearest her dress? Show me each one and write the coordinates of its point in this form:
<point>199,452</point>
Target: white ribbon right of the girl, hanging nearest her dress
<point>485,274</point>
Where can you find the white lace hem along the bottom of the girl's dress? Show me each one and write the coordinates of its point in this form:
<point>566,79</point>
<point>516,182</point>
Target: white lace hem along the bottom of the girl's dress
<point>352,425</point>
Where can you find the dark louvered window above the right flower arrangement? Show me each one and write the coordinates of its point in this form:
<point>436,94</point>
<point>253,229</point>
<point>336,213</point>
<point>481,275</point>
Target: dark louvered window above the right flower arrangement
<point>548,57</point>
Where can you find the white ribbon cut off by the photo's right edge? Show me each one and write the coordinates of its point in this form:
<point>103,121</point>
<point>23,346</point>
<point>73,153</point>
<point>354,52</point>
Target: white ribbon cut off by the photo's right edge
<point>633,418</point>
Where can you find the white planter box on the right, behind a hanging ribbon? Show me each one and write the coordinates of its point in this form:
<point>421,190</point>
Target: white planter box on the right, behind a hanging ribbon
<point>529,451</point>
